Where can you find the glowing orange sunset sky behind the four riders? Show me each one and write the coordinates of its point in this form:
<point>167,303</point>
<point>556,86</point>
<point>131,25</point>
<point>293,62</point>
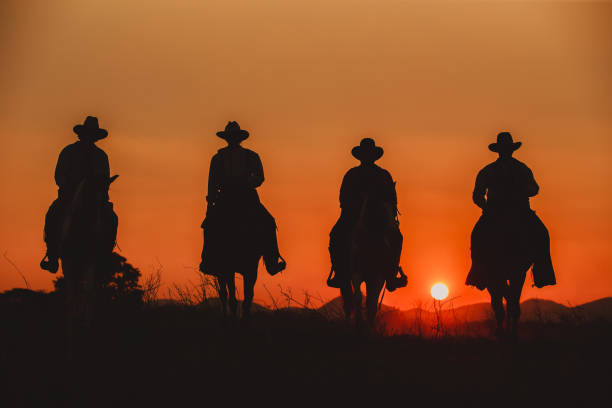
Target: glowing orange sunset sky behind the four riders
<point>433,82</point>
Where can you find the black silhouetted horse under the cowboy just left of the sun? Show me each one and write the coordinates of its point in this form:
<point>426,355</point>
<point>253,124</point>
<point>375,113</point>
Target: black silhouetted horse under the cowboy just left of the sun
<point>370,261</point>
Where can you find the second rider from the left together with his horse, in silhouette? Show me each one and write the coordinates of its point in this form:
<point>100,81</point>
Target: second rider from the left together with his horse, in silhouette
<point>238,229</point>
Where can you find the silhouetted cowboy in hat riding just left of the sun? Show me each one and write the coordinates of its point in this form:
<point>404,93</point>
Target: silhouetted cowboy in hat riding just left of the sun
<point>375,183</point>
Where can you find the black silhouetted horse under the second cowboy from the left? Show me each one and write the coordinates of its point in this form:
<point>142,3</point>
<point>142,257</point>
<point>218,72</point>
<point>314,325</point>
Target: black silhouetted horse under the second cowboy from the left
<point>233,244</point>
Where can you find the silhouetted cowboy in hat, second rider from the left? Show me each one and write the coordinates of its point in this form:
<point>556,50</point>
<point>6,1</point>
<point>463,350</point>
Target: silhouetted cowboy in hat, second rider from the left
<point>235,173</point>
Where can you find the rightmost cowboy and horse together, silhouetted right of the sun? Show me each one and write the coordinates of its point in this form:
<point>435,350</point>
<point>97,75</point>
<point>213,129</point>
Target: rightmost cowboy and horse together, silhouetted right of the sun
<point>509,238</point>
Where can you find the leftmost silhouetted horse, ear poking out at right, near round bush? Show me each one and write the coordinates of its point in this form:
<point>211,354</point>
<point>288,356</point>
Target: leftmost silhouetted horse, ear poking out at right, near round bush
<point>87,238</point>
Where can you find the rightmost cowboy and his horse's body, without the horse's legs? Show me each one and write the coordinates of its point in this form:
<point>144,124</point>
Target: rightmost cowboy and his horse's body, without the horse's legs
<point>507,223</point>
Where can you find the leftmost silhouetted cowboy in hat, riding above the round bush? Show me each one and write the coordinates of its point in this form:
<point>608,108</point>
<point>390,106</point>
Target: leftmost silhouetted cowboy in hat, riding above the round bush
<point>77,162</point>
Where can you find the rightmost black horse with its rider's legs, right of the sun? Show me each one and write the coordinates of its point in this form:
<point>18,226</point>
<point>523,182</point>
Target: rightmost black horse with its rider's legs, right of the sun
<point>507,246</point>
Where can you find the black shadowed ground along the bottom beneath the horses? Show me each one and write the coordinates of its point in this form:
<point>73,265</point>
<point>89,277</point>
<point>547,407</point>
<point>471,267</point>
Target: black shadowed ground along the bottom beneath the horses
<point>185,356</point>
